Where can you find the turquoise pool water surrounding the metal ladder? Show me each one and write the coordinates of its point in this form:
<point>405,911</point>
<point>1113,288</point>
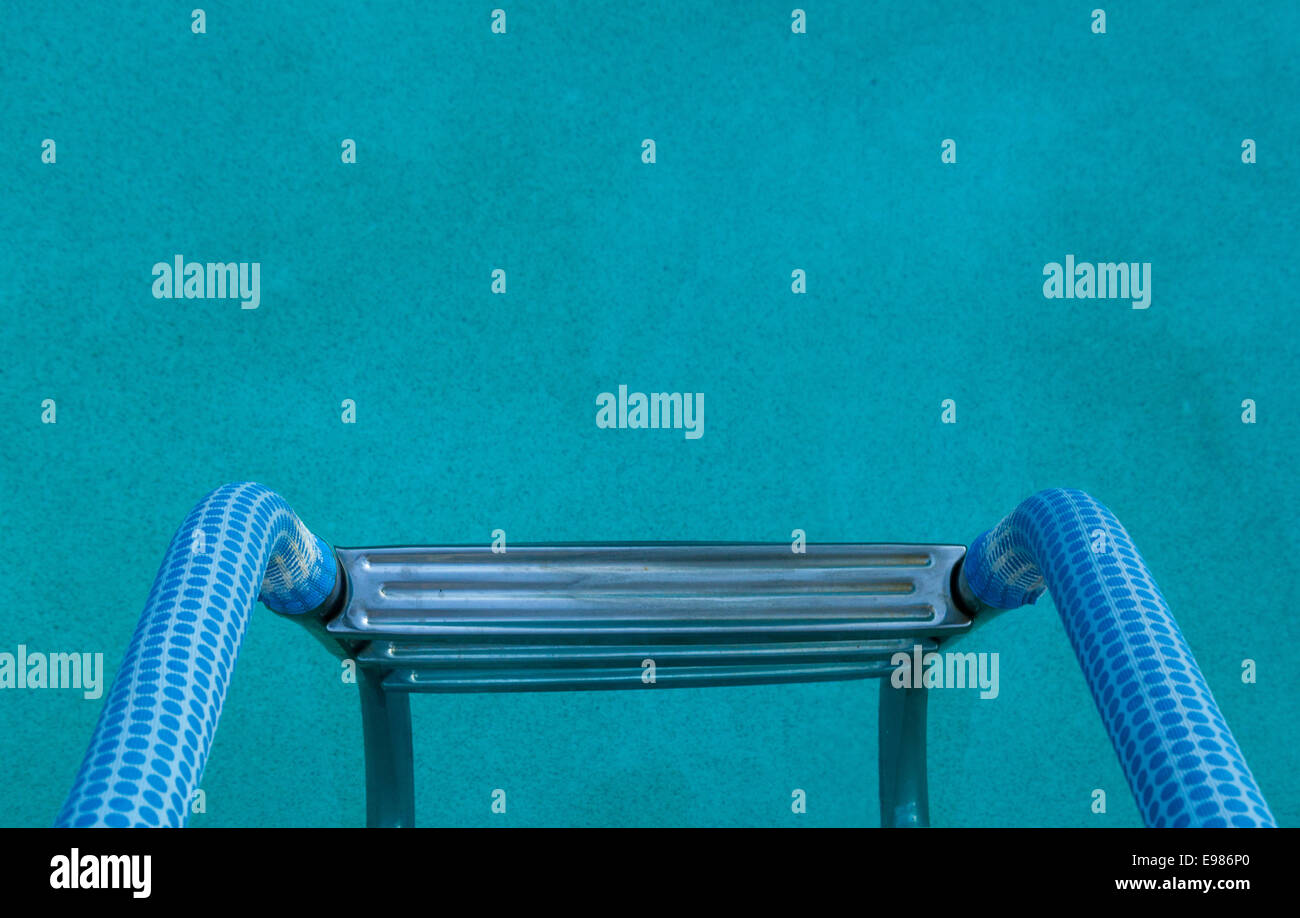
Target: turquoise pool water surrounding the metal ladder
<point>476,412</point>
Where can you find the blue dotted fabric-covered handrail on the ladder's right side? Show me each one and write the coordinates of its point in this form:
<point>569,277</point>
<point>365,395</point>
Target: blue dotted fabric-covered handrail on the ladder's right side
<point>1181,760</point>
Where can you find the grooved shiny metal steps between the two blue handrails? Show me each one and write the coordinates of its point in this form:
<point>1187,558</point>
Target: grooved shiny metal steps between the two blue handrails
<point>573,617</point>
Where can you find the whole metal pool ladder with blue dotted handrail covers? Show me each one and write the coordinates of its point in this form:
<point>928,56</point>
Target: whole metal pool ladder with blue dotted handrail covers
<point>644,617</point>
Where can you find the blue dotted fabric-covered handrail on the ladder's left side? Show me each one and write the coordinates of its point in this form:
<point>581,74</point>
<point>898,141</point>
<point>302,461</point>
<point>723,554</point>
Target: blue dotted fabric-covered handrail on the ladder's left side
<point>145,760</point>
